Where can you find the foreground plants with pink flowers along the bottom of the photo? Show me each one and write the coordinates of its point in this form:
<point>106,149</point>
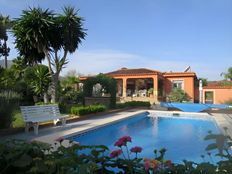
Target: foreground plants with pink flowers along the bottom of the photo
<point>36,157</point>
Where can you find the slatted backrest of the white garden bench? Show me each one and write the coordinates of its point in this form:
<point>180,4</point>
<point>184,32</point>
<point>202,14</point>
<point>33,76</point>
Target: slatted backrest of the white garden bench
<point>48,112</point>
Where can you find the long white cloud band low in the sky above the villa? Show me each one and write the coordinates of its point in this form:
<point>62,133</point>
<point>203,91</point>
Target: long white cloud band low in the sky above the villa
<point>96,61</point>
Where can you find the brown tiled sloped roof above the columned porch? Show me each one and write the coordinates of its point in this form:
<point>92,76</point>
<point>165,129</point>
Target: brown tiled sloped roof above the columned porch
<point>139,71</point>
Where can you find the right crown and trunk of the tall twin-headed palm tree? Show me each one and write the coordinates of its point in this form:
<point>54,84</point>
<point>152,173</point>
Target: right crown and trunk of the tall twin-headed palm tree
<point>71,33</point>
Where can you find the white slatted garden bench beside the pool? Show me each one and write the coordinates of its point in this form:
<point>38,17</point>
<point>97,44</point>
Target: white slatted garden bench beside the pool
<point>33,115</point>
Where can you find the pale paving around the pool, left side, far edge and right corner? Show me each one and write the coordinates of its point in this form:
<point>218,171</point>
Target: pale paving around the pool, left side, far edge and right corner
<point>49,135</point>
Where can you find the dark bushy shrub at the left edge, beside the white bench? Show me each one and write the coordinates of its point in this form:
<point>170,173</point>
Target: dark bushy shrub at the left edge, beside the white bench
<point>9,102</point>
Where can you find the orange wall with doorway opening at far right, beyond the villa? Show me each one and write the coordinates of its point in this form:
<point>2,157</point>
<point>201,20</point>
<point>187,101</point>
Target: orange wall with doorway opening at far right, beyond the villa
<point>220,95</point>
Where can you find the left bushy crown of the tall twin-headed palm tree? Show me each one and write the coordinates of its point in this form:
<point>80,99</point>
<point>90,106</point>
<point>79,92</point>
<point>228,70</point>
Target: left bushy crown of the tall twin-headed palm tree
<point>32,32</point>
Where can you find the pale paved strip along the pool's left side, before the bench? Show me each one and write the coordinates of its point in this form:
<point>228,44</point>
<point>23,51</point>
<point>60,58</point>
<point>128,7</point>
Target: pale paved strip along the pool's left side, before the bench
<point>49,135</point>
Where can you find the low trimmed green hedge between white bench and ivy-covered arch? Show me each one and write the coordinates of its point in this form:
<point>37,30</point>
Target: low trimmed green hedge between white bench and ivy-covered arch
<point>83,110</point>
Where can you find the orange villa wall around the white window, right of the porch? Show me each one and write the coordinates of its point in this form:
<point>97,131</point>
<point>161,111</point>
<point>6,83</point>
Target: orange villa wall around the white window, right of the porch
<point>188,85</point>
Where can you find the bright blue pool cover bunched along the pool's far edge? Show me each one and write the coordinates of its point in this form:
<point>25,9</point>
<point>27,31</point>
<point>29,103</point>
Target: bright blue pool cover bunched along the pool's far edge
<point>192,107</point>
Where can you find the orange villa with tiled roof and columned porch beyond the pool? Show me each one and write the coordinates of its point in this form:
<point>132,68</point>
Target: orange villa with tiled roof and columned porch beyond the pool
<point>151,85</point>
